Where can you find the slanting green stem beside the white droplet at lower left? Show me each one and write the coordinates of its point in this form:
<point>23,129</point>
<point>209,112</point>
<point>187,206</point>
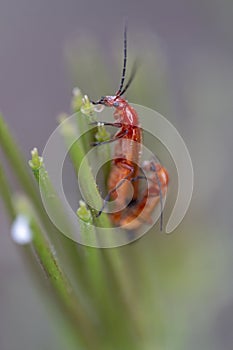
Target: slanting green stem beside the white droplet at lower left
<point>50,265</point>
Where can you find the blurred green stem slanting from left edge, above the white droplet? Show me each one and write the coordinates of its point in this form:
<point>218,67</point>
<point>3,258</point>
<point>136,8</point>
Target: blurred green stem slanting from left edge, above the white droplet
<point>66,249</point>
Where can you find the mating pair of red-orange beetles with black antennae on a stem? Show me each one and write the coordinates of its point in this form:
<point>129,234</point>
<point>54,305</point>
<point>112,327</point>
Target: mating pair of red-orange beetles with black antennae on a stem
<point>125,169</point>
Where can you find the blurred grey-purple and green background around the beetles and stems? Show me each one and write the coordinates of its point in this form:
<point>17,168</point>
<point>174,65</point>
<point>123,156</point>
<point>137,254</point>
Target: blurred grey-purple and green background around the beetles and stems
<point>186,73</point>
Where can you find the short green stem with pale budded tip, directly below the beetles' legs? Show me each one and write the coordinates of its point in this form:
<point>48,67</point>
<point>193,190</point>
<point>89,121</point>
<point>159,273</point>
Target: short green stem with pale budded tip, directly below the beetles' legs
<point>103,282</point>
